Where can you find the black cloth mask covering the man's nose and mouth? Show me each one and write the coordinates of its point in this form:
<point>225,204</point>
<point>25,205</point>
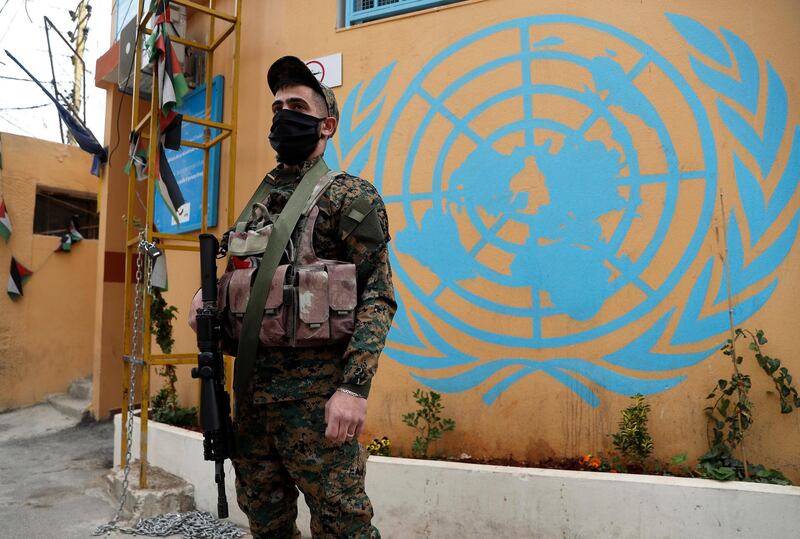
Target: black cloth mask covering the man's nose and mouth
<point>294,135</point>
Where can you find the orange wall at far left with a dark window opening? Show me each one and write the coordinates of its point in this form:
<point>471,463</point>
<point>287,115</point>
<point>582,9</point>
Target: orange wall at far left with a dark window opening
<point>47,333</point>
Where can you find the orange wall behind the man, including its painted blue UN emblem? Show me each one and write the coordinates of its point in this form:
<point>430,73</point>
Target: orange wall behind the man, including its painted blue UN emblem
<point>563,395</point>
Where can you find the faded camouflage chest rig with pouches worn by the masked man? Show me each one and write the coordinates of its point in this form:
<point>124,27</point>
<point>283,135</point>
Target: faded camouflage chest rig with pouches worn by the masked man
<point>277,294</point>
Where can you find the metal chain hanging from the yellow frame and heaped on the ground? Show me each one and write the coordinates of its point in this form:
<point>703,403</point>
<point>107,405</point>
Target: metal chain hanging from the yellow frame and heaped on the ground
<point>193,524</point>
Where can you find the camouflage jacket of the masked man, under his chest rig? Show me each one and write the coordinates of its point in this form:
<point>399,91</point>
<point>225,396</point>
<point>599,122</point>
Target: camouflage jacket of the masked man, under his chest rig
<point>283,373</point>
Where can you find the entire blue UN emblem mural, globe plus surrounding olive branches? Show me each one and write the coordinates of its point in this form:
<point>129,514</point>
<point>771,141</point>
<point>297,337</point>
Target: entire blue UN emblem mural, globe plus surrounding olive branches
<point>554,186</point>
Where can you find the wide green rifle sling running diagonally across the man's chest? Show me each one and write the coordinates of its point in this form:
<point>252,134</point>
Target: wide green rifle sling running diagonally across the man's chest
<point>251,323</point>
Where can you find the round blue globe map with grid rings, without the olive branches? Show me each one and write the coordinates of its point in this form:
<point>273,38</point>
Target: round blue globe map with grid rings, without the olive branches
<point>536,221</point>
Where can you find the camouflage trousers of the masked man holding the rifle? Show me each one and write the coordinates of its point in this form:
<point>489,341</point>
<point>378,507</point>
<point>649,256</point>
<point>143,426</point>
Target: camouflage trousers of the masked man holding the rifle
<point>282,446</point>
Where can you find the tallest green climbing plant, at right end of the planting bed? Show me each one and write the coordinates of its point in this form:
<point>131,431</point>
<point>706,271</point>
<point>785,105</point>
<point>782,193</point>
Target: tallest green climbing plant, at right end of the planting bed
<point>731,414</point>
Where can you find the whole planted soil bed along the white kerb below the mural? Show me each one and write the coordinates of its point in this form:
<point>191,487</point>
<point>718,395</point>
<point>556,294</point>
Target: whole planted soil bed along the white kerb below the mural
<point>730,416</point>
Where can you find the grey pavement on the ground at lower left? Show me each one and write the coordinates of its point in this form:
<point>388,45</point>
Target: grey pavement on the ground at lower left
<point>51,473</point>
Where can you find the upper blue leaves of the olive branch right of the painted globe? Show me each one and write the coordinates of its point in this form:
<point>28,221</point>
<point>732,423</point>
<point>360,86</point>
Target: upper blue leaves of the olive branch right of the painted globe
<point>760,213</point>
